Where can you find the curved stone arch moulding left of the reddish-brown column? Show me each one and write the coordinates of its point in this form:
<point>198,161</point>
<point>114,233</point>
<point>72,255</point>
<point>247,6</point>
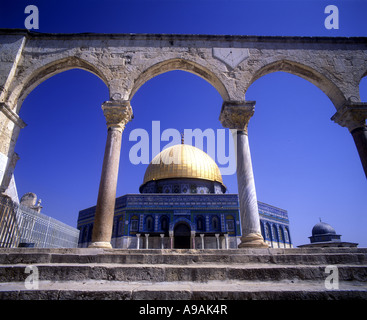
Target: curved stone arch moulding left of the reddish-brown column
<point>47,71</point>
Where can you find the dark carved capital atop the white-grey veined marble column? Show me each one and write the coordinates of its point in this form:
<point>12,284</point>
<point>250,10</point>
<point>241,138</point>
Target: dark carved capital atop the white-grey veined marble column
<point>237,114</point>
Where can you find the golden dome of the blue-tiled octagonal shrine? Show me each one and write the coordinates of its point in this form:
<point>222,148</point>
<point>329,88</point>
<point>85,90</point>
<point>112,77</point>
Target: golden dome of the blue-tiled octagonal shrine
<point>183,161</point>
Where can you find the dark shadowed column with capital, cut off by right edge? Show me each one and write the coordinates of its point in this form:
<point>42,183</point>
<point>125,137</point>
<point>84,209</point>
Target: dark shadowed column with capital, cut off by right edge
<point>353,116</point>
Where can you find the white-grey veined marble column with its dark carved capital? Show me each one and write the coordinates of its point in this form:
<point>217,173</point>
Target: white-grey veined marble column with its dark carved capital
<point>236,115</point>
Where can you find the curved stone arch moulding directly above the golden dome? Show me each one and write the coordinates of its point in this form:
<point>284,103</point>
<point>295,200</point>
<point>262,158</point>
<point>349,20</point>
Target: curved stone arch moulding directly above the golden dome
<point>184,65</point>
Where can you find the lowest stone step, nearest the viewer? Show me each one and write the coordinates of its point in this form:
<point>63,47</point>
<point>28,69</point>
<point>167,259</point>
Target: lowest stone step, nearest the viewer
<point>211,290</point>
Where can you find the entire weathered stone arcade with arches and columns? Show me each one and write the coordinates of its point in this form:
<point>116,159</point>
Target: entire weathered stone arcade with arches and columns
<point>230,63</point>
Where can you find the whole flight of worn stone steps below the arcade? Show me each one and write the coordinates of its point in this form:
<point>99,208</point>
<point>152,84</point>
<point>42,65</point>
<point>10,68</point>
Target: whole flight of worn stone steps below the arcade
<point>183,274</point>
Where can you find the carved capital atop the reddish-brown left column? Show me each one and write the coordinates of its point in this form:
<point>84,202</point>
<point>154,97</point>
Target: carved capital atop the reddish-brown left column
<point>117,113</point>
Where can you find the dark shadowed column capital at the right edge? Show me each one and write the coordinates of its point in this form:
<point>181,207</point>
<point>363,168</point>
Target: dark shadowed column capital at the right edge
<point>352,115</point>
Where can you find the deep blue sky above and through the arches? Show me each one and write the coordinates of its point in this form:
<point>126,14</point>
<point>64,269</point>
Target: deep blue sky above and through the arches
<point>303,162</point>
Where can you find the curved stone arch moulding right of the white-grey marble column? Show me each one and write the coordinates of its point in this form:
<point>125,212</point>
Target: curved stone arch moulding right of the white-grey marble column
<point>319,80</point>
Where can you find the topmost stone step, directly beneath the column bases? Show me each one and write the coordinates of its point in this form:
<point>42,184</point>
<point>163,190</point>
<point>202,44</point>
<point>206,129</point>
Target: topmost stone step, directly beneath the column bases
<point>187,257</point>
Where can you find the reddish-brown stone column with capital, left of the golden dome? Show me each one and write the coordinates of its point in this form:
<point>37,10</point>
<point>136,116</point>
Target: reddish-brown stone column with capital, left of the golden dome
<point>117,114</point>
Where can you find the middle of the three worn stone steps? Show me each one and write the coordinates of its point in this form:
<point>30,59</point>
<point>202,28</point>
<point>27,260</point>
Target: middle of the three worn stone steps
<point>166,273</point>
